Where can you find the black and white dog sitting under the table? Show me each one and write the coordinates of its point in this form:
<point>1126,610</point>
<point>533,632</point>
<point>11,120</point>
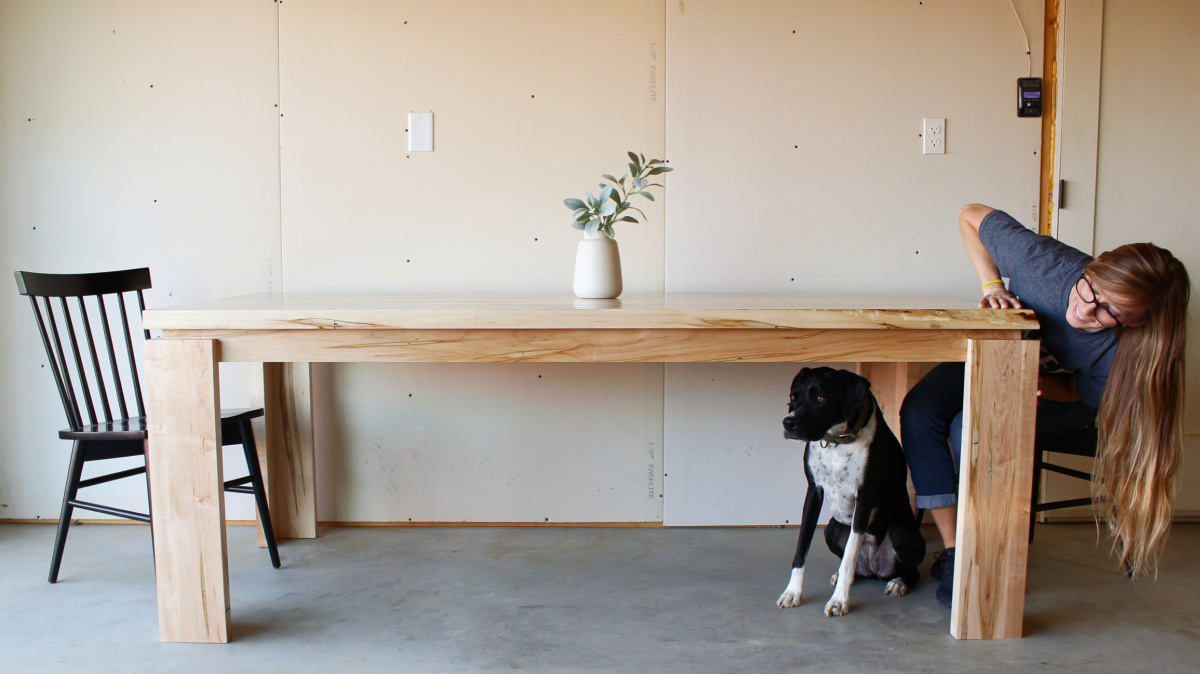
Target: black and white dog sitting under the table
<point>854,461</point>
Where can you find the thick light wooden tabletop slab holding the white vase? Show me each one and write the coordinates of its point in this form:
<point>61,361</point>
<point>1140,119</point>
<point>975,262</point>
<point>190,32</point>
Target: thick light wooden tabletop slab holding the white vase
<point>284,311</point>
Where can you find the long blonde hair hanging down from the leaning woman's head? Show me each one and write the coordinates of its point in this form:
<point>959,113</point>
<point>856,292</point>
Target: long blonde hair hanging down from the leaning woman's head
<point>1142,413</point>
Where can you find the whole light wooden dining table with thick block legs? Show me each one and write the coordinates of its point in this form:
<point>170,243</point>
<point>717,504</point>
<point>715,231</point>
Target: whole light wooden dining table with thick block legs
<point>890,336</point>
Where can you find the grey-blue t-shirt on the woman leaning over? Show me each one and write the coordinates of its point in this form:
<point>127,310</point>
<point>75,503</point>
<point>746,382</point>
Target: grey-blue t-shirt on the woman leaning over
<point>1042,273</point>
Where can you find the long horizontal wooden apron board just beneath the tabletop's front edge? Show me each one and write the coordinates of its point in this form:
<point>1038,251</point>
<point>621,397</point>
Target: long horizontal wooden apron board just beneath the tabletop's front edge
<point>595,346</point>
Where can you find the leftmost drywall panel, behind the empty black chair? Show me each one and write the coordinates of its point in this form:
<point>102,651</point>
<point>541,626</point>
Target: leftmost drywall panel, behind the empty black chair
<point>133,134</point>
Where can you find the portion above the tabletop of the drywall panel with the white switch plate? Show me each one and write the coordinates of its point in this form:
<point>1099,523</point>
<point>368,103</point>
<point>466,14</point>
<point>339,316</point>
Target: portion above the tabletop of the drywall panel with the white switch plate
<point>532,103</point>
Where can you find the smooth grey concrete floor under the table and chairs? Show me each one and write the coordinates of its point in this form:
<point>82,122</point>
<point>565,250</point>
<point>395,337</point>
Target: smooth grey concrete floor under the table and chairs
<point>574,600</point>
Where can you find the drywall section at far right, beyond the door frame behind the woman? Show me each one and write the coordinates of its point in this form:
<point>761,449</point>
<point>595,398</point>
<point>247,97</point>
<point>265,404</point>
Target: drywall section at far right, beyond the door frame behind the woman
<point>1150,159</point>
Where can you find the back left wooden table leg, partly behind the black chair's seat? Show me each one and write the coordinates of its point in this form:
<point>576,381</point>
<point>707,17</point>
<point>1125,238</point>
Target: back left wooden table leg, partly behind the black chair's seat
<point>287,454</point>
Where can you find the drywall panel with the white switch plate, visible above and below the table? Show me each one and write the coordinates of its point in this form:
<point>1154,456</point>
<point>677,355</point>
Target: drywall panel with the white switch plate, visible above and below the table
<point>532,103</point>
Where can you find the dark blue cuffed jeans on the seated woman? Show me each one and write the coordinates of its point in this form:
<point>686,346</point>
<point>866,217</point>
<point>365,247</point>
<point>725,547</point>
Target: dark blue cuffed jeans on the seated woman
<point>932,431</point>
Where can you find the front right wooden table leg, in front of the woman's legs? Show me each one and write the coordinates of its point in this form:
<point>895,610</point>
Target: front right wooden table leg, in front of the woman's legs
<point>999,422</point>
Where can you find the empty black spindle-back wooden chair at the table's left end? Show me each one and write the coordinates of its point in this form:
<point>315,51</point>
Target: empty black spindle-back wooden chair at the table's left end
<point>98,381</point>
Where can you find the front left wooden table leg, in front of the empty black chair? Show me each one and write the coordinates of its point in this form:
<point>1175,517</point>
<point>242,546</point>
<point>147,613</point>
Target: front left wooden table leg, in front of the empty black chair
<point>187,495</point>
